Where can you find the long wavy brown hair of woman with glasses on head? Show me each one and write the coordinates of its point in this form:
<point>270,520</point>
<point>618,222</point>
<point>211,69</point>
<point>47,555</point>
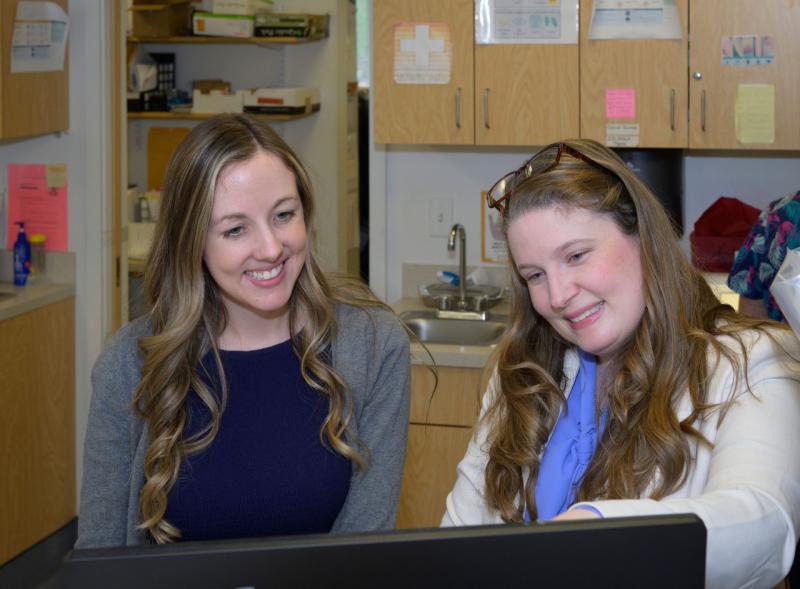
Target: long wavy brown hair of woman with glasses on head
<point>644,447</point>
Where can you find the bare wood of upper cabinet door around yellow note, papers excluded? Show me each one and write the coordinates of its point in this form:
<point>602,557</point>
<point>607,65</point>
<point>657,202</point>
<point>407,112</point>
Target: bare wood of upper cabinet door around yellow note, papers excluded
<point>713,86</point>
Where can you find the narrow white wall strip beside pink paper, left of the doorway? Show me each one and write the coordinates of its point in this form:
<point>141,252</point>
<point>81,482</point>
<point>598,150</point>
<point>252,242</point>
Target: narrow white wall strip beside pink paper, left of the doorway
<point>84,148</point>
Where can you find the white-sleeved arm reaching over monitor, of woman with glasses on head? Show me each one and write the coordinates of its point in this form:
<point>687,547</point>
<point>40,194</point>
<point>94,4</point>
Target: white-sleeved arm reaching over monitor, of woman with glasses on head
<point>746,489</point>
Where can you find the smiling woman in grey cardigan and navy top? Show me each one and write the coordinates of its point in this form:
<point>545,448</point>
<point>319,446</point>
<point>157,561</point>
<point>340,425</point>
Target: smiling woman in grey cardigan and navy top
<point>257,396</point>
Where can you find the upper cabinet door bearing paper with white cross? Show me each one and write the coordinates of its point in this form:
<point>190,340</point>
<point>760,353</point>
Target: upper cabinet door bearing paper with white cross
<point>423,71</point>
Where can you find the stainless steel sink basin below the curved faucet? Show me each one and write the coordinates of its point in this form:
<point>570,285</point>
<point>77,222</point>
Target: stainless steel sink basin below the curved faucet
<point>463,332</point>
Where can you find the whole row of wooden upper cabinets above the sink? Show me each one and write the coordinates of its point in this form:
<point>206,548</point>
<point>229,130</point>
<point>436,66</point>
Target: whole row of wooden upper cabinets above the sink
<point>685,93</point>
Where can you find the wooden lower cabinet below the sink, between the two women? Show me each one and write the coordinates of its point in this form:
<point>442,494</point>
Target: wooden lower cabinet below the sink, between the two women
<point>440,428</point>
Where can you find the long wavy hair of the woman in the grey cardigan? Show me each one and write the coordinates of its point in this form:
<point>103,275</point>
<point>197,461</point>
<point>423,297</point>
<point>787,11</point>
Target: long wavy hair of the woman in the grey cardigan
<point>187,313</point>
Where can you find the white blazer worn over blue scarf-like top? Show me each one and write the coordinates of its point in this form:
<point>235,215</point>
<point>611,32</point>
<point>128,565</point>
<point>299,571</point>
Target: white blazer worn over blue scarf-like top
<point>746,488</point>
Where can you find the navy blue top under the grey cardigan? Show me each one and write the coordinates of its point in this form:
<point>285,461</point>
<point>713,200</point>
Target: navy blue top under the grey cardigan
<point>266,472</point>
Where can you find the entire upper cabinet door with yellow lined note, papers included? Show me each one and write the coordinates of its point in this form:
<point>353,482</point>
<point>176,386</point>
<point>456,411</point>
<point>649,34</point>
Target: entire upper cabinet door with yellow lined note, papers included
<point>738,29</point>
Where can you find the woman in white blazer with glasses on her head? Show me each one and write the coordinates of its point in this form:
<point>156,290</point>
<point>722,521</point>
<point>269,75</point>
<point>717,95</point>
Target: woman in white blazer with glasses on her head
<point>622,386</point>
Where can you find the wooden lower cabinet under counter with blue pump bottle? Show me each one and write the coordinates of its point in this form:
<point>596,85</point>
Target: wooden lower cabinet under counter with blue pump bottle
<point>37,425</point>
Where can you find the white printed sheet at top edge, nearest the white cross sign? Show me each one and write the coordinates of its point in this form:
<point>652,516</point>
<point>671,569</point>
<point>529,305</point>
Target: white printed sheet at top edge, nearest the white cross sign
<point>526,22</point>
